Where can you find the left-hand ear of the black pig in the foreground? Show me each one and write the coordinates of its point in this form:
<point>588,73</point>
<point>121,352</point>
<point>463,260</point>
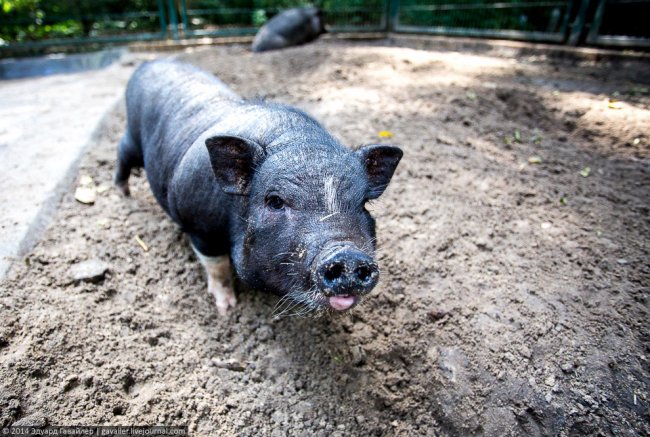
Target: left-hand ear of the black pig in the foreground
<point>233,162</point>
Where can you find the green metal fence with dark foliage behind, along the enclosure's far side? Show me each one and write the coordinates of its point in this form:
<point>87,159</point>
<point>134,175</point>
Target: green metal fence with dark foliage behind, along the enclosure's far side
<point>69,22</point>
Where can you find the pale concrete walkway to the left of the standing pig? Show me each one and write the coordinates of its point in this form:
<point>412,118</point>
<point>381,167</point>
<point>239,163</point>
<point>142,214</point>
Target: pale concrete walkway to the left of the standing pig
<point>45,125</point>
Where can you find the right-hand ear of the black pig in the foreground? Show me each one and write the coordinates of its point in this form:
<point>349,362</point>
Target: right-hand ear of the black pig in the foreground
<point>380,162</point>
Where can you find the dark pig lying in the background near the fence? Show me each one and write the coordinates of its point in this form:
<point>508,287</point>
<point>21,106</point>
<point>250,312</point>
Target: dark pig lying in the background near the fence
<point>290,28</point>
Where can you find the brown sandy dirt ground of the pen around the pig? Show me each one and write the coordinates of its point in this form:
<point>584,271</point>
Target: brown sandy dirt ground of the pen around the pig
<point>514,290</point>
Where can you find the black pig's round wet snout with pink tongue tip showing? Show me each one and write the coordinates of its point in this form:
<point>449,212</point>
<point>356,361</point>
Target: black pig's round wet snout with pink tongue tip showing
<point>343,274</point>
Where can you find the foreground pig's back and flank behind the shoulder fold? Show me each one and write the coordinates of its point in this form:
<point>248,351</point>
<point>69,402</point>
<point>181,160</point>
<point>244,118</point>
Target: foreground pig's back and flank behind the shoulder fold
<point>169,106</point>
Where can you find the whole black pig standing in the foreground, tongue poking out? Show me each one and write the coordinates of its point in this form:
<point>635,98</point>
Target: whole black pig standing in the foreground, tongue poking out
<point>260,181</point>
